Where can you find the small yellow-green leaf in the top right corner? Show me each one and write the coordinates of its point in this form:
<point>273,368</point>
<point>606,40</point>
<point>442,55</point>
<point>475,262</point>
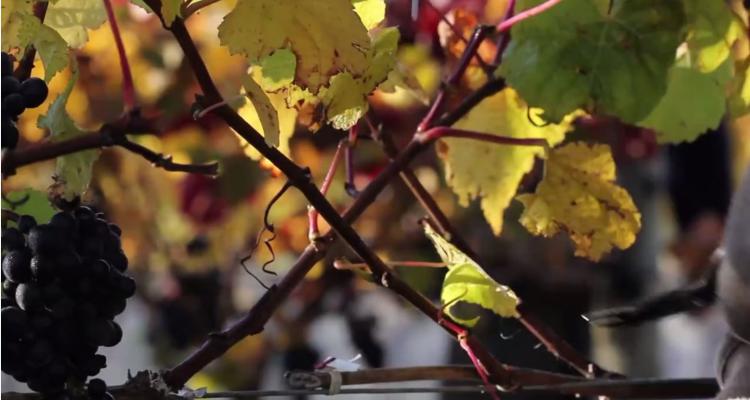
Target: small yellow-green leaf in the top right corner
<point>712,29</point>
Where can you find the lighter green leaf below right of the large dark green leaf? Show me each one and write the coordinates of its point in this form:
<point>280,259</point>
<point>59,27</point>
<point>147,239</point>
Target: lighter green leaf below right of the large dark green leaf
<point>694,103</point>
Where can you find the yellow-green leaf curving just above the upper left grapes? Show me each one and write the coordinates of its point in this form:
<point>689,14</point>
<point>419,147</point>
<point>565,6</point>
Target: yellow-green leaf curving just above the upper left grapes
<point>24,29</point>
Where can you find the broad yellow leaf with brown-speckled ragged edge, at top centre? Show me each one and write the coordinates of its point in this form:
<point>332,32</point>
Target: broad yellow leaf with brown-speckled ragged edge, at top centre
<point>326,36</point>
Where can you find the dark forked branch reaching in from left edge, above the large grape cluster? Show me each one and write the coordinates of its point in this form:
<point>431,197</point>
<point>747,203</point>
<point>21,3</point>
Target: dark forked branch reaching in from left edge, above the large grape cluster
<point>112,134</point>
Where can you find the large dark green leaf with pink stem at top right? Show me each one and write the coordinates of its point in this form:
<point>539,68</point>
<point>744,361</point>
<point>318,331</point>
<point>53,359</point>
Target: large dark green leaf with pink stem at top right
<point>580,54</point>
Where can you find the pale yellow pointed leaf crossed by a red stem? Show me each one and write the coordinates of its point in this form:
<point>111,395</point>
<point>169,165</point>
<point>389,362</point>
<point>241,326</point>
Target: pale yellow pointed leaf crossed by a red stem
<point>489,171</point>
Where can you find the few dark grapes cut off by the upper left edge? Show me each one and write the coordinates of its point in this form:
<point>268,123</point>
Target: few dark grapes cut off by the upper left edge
<point>17,97</point>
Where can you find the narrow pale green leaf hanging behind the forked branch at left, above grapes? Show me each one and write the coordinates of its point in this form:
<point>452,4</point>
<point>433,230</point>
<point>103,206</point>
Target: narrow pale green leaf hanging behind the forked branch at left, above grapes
<point>73,171</point>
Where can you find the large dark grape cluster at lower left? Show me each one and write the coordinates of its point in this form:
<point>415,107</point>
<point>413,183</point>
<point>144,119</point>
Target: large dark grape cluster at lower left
<point>62,285</point>
